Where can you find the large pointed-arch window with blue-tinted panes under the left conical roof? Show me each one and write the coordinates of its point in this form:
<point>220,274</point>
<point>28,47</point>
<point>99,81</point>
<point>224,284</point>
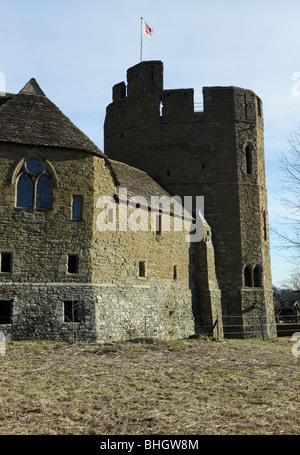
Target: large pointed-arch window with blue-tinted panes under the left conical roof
<point>34,185</point>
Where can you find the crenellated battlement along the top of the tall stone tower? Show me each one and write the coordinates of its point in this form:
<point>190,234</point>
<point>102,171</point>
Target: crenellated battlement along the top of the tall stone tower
<point>145,84</point>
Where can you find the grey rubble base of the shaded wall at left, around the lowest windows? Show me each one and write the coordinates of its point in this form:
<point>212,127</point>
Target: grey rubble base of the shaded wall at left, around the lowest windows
<point>37,311</point>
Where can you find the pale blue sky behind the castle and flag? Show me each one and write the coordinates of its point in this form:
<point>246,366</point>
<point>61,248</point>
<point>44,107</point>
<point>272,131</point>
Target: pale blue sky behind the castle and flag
<point>78,49</point>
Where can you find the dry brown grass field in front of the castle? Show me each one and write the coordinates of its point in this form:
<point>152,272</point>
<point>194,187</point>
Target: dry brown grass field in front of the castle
<point>186,387</point>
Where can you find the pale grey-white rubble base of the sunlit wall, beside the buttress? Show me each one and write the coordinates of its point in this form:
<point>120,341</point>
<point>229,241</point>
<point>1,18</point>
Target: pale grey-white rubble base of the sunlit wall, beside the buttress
<point>144,310</point>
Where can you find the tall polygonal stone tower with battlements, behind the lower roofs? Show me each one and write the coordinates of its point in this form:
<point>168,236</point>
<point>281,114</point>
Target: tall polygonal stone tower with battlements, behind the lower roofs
<point>217,153</point>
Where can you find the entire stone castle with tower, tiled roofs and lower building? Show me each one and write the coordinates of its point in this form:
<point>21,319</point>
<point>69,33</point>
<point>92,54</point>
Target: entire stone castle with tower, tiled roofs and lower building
<point>64,275</point>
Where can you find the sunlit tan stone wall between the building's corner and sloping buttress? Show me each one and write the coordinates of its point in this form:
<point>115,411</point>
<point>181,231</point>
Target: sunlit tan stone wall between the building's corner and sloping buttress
<point>158,304</point>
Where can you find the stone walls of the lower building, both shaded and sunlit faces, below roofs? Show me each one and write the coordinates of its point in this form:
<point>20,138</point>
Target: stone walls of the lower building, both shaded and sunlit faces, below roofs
<point>113,302</point>
